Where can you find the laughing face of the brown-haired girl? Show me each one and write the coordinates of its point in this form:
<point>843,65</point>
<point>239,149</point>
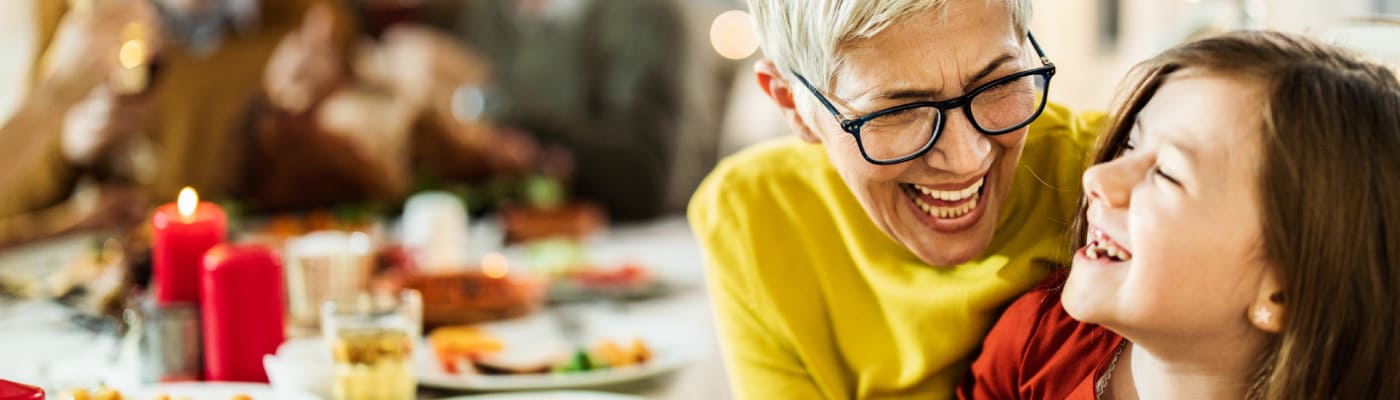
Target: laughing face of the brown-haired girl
<point>1174,226</point>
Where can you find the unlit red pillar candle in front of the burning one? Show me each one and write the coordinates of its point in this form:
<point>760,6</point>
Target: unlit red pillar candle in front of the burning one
<point>241,310</point>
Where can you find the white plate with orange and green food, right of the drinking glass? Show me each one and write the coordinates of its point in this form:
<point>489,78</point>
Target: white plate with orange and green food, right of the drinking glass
<point>544,352</point>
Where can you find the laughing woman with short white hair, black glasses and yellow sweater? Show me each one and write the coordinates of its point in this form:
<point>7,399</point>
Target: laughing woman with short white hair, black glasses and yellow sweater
<point>930,185</point>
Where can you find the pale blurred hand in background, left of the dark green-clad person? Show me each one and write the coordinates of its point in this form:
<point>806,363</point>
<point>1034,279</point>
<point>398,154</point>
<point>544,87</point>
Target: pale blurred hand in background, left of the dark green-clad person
<point>422,66</point>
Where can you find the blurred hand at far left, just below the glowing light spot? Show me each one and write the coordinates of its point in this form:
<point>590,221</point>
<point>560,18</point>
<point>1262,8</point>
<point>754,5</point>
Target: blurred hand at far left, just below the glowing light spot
<point>100,122</point>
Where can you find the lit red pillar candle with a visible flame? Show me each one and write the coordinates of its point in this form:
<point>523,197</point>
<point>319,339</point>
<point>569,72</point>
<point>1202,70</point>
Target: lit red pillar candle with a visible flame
<point>181,234</point>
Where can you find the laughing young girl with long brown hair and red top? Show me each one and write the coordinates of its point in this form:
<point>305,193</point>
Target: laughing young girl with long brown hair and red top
<point>1241,238</point>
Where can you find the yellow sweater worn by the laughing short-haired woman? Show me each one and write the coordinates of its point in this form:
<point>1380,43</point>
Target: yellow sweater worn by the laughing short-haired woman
<point>813,300</point>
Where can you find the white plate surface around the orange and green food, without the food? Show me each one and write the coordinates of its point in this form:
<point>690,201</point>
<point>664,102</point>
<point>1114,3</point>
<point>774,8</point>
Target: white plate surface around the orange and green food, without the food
<point>668,355</point>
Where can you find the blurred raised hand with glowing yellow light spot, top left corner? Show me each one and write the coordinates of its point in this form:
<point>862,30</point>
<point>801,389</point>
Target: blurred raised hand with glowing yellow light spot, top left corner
<point>96,41</point>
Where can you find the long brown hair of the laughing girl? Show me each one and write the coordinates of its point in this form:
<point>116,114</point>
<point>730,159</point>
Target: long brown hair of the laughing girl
<point>1331,205</point>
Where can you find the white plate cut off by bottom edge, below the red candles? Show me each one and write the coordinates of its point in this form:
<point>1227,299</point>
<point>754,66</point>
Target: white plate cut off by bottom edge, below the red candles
<point>191,391</point>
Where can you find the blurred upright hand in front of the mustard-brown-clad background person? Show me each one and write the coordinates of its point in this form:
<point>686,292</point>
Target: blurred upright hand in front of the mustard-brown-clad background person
<point>307,65</point>
